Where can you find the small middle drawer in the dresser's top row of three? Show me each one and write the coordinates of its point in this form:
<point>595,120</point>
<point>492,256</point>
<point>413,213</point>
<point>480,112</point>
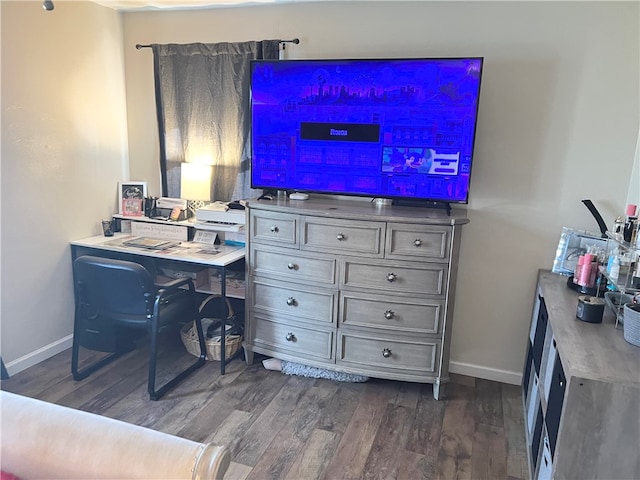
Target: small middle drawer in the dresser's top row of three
<point>343,236</point>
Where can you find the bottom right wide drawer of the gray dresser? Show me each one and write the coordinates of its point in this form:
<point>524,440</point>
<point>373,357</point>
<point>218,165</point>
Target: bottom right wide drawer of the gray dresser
<point>386,353</point>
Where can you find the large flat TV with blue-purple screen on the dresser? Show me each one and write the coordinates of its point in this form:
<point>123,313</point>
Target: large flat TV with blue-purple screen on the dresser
<point>394,128</point>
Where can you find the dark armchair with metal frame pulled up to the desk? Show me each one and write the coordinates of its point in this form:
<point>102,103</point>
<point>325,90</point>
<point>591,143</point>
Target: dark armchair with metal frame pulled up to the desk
<point>115,299</point>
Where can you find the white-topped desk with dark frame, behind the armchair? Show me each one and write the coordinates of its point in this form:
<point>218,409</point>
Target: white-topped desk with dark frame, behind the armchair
<point>187,254</point>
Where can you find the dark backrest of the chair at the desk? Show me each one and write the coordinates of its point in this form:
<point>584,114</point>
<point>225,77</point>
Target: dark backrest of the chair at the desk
<point>114,288</point>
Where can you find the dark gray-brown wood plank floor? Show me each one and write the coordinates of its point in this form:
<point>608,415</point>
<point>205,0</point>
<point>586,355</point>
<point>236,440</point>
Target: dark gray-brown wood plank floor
<point>290,427</point>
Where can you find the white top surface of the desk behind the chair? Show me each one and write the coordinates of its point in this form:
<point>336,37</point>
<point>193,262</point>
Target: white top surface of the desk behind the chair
<point>210,255</point>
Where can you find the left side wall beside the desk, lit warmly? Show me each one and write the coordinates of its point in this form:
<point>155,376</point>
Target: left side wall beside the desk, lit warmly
<point>63,152</point>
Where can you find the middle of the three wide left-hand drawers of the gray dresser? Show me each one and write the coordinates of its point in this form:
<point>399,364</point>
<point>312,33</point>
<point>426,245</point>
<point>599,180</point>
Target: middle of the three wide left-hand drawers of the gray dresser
<point>311,304</point>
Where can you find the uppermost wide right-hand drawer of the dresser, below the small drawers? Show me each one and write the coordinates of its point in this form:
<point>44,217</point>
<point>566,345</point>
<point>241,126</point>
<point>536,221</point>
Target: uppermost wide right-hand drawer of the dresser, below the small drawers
<point>396,277</point>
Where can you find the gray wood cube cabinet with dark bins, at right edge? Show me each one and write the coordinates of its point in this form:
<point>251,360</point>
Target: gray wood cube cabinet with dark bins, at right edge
<point>581,391</point>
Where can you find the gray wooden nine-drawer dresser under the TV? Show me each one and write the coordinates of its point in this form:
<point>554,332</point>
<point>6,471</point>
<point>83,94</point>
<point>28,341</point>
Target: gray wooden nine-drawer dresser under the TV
<point>353,287</point>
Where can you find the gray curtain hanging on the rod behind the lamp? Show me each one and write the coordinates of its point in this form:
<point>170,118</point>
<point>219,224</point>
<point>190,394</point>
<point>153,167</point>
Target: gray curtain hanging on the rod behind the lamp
<point>202,100</point>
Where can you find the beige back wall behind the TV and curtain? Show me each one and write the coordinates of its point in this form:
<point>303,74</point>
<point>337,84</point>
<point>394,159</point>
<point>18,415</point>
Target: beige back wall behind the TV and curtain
<point>558,123</point>
